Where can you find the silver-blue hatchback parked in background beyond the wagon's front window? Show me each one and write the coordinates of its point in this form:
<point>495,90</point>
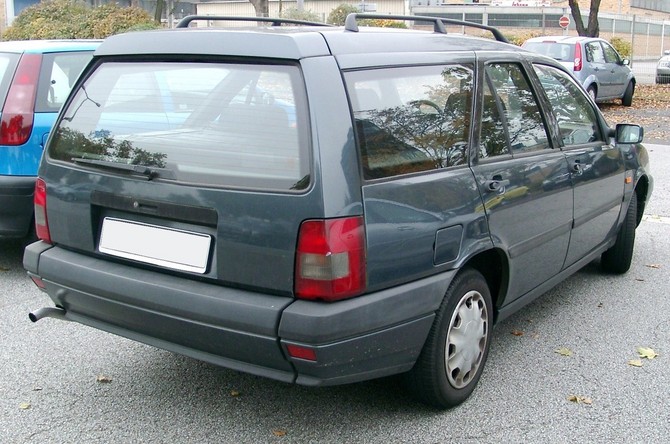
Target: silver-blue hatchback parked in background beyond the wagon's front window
<point>603,73</point>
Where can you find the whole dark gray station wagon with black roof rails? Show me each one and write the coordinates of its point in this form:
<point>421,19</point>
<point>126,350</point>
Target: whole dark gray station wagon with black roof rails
<point>325,205</point>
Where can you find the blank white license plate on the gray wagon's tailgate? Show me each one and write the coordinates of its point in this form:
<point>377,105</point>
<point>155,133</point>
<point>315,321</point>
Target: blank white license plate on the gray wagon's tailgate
<point>153,244</point>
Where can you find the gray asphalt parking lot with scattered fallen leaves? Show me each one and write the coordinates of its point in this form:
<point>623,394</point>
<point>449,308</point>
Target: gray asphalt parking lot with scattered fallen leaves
<point>65,383</point>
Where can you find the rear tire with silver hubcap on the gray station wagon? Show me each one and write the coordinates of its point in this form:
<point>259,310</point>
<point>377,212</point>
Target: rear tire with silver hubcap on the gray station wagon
<point>453,357</point>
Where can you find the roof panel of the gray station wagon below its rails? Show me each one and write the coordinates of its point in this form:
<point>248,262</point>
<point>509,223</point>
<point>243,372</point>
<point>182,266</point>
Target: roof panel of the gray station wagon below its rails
<point>291,42</point>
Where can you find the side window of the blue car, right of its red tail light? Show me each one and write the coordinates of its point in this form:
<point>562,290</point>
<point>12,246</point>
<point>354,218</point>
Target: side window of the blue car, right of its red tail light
<point>57,76</point>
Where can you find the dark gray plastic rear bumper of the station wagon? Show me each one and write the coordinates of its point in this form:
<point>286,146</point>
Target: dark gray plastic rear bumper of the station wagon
<point>354,340</point>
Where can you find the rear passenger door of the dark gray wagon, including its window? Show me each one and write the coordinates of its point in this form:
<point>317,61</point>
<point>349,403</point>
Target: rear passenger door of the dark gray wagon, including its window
<point>524,182</point>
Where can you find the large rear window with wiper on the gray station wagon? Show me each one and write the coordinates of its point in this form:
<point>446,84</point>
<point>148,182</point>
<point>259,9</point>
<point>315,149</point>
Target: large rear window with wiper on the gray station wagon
<point>214,124</point>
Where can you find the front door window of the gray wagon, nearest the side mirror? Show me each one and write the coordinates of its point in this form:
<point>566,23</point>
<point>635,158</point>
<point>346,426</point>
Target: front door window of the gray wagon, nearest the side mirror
<point>576,117</point>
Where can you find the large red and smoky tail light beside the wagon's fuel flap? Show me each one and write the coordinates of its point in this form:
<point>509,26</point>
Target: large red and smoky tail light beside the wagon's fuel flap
<point>330,263</point>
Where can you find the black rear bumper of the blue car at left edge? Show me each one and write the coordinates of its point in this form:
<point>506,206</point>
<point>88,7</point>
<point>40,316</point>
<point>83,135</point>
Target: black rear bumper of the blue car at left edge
<point>16,205</point>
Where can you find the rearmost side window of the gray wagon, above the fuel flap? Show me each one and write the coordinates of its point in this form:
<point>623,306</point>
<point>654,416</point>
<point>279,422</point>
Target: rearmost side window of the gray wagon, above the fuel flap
<point>411,119</point>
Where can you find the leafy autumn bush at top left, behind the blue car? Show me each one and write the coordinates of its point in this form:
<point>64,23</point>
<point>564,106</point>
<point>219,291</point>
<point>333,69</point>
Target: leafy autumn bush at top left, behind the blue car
<point>74,19</point>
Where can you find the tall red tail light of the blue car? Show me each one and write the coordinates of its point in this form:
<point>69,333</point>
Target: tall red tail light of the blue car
<point>17,114</point>
